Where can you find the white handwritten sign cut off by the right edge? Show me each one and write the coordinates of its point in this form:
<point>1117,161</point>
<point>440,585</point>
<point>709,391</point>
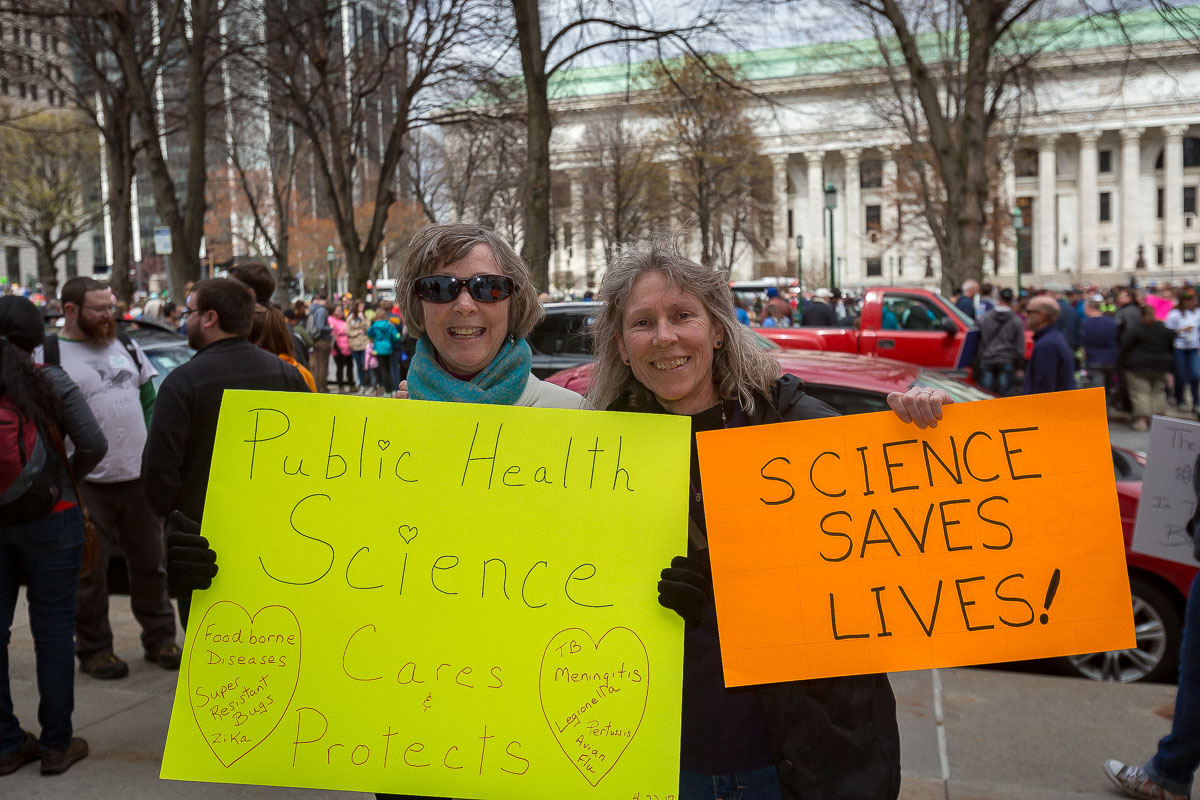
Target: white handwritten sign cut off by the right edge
<point>1168,495</point>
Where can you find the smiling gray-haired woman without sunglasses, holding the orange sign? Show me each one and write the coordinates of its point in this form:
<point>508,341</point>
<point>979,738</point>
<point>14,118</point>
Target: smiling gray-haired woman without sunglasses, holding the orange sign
<point>668,341</point>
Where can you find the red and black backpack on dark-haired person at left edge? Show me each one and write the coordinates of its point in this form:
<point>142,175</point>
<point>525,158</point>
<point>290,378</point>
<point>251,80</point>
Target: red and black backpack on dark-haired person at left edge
<point>29,485</point>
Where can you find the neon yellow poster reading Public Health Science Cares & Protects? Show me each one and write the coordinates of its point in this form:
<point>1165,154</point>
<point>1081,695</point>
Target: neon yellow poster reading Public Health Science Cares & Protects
<point>436,599</point>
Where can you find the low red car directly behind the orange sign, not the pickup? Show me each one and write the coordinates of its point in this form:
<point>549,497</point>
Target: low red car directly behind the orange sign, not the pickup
<point>856,384</point>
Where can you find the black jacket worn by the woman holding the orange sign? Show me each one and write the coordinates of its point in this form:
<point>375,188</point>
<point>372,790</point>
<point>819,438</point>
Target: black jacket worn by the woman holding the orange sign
<point>832,738</point>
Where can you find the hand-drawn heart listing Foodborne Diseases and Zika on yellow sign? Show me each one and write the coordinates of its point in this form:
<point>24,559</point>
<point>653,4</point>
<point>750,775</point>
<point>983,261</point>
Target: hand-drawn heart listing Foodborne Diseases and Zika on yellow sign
<point>243,672</point>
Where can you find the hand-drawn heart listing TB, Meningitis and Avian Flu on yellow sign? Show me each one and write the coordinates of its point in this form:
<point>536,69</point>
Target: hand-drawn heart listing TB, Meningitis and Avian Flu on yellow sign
<point>593,696</point>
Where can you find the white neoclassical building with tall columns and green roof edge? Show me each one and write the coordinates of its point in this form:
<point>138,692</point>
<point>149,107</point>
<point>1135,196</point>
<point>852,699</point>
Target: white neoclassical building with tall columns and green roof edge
<point>1106,166</point>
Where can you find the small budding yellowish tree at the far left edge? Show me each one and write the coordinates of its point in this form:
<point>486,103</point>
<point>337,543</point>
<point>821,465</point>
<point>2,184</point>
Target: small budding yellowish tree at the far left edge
<point>46,158</point>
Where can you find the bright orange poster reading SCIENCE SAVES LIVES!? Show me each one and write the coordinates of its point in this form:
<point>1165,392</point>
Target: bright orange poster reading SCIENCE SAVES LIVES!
<point>861,545</point>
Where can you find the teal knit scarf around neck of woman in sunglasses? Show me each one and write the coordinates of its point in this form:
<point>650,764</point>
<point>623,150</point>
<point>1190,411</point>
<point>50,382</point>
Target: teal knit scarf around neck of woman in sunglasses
<point>500,384</point>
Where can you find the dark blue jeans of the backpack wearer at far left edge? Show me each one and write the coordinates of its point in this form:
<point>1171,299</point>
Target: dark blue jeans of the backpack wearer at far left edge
<point>51,551</point>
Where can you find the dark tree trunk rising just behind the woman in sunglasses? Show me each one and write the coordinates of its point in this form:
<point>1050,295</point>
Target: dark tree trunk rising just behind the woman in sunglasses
<point>536,249</point>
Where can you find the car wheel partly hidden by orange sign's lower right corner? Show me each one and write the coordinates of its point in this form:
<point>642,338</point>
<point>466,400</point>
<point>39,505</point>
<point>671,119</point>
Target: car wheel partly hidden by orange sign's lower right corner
<point>1159,630</point>
